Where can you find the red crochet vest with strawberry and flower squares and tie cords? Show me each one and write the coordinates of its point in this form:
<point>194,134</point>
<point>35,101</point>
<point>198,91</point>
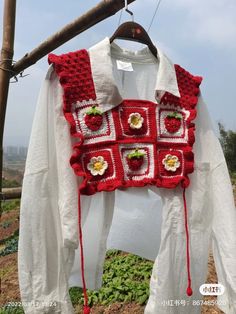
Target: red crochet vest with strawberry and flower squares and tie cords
<point>137,143</point>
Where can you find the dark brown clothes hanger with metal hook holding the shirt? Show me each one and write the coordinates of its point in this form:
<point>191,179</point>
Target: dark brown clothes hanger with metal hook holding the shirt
<point>133,31</point>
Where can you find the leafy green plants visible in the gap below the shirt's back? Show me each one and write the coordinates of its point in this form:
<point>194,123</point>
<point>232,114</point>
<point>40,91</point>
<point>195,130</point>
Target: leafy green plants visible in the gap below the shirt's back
<point>125,279</point>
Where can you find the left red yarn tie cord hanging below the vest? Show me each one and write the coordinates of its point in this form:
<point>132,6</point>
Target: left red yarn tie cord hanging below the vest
<point>86,309</point>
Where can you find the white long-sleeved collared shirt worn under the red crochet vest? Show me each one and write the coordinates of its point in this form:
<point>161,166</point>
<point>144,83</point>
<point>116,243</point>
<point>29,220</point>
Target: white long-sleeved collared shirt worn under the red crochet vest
<point>145,221</point>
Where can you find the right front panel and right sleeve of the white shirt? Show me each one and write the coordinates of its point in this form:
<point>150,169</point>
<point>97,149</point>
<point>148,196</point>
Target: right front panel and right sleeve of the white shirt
<point>212,220</point>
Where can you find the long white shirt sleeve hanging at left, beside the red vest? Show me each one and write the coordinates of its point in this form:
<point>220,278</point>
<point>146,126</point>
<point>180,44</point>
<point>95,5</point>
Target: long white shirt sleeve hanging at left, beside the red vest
<point>48,222</point>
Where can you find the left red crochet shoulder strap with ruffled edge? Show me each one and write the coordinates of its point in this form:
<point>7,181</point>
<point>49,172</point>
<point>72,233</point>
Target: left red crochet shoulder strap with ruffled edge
<point>75,75</point>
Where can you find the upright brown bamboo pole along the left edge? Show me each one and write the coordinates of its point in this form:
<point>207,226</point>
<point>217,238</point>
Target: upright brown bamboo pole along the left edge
<point>5,66</point>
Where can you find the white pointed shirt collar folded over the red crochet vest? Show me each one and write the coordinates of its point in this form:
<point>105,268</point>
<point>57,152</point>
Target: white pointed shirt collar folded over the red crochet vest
<point>108,95</point>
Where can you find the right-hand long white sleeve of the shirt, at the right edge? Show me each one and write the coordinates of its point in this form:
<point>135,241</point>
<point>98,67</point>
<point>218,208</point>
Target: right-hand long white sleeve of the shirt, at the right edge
<point>223,211</point>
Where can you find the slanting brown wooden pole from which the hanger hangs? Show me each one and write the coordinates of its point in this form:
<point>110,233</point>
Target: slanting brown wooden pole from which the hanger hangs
<point>100,12</point>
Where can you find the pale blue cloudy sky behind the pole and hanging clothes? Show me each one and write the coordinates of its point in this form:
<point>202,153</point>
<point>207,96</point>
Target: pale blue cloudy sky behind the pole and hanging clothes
<point>197,34</point>
